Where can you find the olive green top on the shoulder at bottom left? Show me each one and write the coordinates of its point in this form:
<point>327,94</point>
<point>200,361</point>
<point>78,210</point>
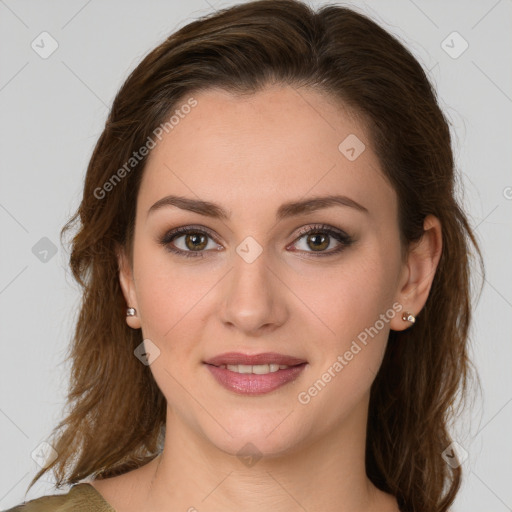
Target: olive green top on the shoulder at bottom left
<point>81,497</point>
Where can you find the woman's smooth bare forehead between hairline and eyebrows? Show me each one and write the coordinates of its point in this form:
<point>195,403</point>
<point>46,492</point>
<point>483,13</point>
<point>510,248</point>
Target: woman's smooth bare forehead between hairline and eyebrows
<point>277,145</point>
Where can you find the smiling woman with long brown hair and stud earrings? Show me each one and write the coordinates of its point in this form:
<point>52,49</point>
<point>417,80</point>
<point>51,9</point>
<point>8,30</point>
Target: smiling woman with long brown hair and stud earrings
<point>276,277</point>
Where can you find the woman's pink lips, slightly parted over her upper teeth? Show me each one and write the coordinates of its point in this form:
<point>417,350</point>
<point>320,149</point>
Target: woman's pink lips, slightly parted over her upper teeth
<point>254,374</point>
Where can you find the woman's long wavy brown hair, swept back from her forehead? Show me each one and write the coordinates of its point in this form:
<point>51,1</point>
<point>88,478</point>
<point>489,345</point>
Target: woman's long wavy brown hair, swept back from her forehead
<point>116,414</point>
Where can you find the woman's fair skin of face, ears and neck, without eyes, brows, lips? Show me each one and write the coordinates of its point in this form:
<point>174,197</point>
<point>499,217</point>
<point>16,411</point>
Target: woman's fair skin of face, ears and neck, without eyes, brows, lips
<point>250,155</point>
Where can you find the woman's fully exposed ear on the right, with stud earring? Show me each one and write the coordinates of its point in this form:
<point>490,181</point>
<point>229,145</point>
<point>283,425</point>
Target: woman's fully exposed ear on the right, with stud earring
<point>418,272</point>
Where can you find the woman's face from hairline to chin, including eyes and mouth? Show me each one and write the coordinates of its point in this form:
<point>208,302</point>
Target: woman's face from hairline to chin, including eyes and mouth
<point>254,282</point>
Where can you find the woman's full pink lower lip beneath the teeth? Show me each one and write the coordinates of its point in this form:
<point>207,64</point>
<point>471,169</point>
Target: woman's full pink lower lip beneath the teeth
<point>254,384</point>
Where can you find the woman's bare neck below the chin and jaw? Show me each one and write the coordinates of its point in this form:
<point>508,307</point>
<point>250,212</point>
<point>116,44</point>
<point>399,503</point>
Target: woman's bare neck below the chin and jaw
<point>325,474</point>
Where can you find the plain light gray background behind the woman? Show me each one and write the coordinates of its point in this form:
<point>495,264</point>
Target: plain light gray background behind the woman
<point>53,110</point>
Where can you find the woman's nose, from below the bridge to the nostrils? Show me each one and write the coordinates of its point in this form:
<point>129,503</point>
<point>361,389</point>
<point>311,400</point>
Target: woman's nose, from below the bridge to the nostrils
<point>254,300</point>
